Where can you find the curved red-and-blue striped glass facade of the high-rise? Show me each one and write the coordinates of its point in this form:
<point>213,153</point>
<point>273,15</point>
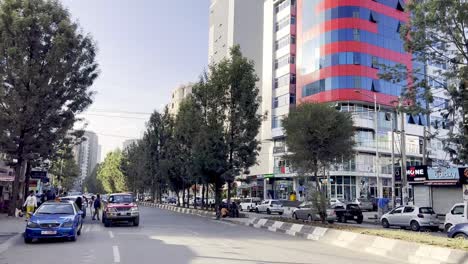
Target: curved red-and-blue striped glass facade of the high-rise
<point>341,46</point>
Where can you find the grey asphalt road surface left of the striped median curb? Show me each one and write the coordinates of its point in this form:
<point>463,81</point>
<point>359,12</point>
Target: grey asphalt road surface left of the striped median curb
<point>169,237</point>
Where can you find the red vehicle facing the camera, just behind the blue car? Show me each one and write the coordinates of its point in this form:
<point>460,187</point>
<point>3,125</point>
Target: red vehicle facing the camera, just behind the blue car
<point>120,207</point>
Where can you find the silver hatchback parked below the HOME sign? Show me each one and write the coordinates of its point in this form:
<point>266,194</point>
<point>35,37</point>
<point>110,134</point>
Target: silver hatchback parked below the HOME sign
<point>411,216</point>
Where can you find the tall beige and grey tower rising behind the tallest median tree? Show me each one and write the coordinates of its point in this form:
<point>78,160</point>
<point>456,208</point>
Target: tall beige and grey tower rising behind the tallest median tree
<point>240,22</point>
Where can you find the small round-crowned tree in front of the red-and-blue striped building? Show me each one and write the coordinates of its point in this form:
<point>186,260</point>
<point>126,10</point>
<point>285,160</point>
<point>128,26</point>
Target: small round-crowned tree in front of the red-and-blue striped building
<point>318,135</point>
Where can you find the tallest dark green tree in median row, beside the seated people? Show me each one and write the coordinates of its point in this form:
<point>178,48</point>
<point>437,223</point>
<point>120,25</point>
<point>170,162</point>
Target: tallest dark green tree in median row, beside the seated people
<point>242,124</point>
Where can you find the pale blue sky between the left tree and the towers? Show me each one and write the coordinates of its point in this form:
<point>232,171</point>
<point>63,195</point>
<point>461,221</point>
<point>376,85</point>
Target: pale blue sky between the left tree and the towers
<point>146,48</point>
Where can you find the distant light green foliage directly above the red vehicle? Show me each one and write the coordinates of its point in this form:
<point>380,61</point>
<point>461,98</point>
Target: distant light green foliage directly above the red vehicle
<point>110,173</point>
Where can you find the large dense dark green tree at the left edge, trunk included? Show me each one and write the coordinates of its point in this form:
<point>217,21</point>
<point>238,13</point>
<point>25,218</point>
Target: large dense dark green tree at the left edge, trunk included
<point>46,68</point>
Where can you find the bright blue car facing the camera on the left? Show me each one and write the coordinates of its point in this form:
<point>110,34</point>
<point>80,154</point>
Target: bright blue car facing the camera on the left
<point>54,220</point>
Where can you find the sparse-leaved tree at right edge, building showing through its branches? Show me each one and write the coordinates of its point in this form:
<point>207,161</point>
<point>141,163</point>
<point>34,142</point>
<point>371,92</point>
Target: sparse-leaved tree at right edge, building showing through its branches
<point>437,33</point>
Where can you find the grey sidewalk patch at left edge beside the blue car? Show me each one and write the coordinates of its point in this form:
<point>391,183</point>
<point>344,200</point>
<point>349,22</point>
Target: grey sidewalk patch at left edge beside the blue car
<point>10,229</point>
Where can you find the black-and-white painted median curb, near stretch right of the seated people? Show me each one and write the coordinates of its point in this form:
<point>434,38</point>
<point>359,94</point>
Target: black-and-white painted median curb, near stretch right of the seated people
<point>408,252</point>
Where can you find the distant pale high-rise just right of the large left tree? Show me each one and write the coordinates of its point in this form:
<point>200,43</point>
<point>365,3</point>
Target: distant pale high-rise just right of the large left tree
<point>86,154</point>
